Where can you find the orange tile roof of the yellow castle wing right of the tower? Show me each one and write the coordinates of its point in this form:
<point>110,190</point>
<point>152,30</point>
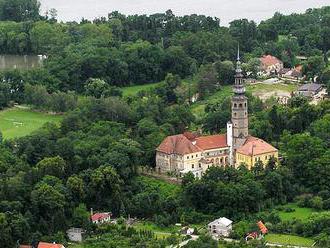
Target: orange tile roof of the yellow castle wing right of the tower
<point>255,146</point>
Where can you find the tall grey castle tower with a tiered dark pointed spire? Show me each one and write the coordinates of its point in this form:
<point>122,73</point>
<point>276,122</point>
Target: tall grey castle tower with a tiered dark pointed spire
<point>240,117</point>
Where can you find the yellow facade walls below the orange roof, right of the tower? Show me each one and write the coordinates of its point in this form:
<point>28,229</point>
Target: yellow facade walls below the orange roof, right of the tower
<point>250,160</point>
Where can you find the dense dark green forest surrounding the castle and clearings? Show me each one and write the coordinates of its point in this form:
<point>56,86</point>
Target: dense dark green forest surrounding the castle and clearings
<point>50,179</point>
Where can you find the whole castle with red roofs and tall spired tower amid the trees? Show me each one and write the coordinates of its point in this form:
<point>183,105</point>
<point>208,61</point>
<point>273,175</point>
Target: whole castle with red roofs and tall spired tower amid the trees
<point>188,152</point>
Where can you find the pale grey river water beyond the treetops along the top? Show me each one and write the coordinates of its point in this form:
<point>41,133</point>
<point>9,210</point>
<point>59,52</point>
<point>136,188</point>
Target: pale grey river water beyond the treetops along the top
<point>226,10</point>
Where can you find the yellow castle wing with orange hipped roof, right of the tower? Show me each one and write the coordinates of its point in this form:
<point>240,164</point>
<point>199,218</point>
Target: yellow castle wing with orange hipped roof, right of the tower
<point>254,150</point>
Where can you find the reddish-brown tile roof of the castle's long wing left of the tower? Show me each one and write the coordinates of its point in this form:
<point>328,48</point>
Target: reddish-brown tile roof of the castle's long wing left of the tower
<point>180,144</point>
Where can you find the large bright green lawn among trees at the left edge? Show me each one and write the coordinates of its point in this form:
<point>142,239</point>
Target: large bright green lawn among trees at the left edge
<point>18,122</point>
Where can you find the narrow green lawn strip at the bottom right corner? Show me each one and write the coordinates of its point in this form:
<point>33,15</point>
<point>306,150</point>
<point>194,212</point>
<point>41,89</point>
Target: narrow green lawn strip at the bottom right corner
<point>283,239</point>
